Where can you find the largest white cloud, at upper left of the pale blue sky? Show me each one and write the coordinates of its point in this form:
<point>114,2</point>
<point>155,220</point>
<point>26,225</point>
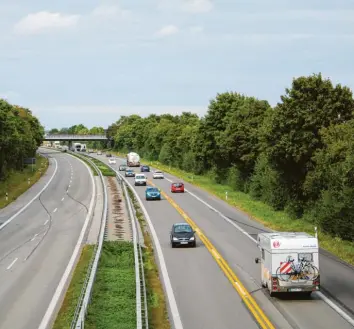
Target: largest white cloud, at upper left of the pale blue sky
<point>43,21</point>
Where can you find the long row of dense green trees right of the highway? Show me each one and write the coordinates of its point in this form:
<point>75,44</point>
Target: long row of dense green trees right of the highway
<point>296,156</point>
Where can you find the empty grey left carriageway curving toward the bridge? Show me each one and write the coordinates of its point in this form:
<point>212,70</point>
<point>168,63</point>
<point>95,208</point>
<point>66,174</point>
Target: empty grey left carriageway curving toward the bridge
<point>36,245</point>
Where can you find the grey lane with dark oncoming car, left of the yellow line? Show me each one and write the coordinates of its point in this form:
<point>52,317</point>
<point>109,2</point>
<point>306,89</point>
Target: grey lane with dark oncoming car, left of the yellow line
<point>204,296</point>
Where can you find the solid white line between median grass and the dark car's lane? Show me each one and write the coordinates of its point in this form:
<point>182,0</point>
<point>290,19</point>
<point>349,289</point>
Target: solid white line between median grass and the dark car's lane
<point>166,279</point>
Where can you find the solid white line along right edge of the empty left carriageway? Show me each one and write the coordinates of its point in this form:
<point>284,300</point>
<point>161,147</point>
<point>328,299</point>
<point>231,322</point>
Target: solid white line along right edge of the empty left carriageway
<point>48,317</point>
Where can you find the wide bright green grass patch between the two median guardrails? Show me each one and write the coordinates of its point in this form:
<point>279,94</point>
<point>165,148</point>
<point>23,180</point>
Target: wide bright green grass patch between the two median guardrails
<point>113,302</point>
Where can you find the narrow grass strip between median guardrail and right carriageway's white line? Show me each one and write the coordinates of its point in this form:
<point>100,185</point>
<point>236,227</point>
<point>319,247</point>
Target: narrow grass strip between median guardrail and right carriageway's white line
<point>157,308</point>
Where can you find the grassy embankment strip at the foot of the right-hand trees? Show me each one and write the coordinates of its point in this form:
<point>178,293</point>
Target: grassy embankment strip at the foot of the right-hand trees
<point>276,220</point>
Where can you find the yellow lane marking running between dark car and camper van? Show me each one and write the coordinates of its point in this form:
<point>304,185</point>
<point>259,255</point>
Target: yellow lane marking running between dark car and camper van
<point>247,298</point>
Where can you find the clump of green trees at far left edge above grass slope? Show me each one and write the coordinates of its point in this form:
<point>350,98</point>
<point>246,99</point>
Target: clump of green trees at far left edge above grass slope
<point>20,135</point>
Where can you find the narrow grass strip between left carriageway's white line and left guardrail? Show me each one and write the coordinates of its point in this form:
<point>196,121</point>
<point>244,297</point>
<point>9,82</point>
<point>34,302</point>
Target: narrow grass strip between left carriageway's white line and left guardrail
<point>67,310</point>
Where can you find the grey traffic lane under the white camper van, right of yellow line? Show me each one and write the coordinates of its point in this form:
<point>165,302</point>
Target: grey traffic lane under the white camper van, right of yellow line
<point>240,253</point>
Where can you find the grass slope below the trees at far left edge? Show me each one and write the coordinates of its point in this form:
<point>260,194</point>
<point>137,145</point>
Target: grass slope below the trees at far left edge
<point>17,183</point>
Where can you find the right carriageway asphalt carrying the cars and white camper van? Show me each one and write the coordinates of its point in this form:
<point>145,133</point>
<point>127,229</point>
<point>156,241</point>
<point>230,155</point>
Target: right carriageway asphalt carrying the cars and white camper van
<point>205,298</point>
